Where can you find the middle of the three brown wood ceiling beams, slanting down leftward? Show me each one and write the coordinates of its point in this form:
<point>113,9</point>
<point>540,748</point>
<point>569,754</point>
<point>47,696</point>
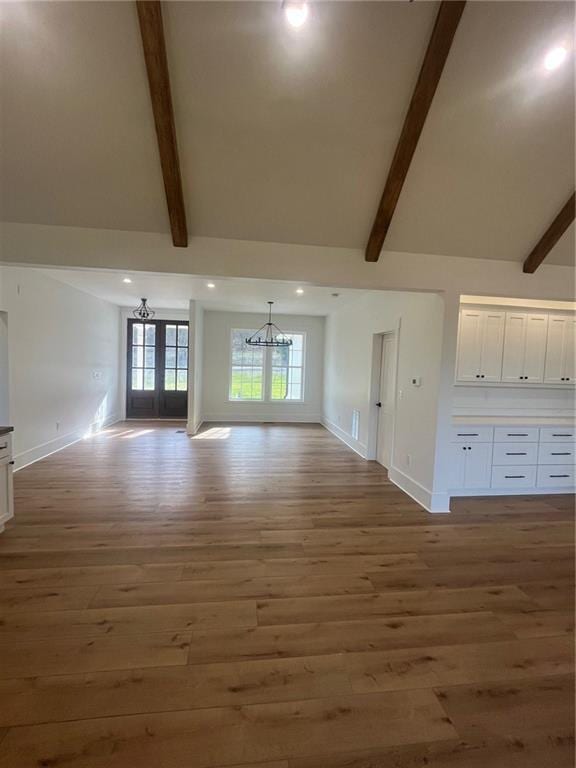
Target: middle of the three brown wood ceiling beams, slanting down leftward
<point>439,46</point>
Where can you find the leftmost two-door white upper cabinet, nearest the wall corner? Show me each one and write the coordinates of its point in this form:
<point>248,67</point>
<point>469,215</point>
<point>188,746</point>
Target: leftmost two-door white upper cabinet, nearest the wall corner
<point>480,342</point>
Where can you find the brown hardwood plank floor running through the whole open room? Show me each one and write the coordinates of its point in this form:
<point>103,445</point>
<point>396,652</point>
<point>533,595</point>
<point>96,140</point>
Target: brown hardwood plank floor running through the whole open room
<point>261,597</point>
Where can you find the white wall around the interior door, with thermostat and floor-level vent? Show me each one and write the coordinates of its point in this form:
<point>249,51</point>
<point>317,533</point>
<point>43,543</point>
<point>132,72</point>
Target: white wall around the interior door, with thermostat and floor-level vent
<point>348,371</point>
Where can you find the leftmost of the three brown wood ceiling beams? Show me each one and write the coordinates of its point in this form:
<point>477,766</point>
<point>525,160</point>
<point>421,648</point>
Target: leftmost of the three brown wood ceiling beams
<point>152,33</point>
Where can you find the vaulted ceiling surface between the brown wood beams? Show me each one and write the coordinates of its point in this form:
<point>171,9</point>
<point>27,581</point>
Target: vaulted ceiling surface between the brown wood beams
<point>286,136</point>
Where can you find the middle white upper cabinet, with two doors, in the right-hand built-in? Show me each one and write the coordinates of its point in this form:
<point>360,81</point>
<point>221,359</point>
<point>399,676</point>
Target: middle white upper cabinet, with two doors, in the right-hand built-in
<point>524,347</point>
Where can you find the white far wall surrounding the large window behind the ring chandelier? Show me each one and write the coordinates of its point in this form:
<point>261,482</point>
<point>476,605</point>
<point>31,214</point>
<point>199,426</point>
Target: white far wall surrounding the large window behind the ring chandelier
<point>216,374</point>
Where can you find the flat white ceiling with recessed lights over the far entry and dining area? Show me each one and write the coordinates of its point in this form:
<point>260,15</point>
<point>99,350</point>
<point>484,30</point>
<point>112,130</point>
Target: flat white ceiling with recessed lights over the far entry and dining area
<point>165,291</point>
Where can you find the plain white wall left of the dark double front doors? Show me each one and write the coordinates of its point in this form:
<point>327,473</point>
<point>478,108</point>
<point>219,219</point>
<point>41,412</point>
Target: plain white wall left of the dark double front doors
<point>63,362</point>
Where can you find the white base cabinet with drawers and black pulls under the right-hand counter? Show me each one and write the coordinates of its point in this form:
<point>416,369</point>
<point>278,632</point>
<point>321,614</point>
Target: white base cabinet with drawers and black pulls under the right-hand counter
<point>489,460</point>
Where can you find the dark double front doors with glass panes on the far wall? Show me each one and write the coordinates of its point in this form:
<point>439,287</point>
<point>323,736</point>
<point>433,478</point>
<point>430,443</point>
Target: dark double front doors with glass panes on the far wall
<point>157,369</point>
